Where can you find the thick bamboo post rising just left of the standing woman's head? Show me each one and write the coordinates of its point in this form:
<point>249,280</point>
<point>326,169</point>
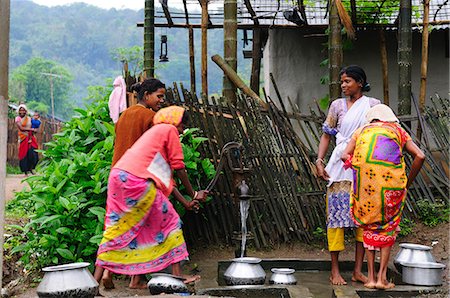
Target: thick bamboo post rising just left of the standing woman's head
<point>334,52</point>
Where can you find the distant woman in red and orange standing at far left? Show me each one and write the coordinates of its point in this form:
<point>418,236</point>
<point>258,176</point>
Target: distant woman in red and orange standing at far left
<point>28,157</point>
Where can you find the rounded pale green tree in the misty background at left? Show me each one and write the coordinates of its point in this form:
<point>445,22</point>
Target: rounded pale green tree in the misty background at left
<point>29,84</point>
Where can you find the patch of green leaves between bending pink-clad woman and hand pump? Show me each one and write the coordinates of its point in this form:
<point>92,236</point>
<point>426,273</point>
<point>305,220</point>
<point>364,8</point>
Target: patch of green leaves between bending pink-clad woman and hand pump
<point>200,170</point>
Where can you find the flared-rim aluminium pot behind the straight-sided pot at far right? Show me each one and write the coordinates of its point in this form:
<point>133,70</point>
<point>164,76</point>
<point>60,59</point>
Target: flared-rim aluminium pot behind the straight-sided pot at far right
<point>412,253</point>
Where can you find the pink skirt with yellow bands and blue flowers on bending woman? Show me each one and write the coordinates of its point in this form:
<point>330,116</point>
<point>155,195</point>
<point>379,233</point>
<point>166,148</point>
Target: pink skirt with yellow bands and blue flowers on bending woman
<point>142,229</point>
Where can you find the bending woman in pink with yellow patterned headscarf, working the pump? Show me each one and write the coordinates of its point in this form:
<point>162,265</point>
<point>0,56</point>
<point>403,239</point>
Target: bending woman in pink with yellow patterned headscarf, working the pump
<point>142,229</point>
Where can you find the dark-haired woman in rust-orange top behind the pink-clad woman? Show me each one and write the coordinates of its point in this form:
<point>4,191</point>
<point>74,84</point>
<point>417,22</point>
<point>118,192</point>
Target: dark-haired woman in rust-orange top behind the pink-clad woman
<point>131,125</point>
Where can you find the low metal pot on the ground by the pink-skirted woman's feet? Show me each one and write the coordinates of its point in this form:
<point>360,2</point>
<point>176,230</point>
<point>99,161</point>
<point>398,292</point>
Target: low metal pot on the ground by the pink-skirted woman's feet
<point>166,283</point>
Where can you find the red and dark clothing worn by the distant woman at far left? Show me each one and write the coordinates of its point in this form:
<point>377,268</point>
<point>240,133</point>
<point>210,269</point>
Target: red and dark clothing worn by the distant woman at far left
<point>28,157</point>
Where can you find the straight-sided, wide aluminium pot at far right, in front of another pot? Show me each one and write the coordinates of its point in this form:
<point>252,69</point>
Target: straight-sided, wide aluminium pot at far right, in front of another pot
<point>423,274</point>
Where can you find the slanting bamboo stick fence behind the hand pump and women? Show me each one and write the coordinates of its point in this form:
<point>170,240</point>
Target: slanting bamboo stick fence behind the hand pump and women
<point>288,201</point>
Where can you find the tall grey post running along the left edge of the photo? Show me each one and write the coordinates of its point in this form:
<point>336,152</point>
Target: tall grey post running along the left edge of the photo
<point>4,55</point>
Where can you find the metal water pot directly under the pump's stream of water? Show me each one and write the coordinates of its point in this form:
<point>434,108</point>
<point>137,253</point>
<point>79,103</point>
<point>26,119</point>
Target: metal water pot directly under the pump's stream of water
<point>245,271</point>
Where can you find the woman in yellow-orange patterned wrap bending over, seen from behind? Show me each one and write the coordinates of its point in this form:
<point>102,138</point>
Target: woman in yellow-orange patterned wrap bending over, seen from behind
<point>375,153</point>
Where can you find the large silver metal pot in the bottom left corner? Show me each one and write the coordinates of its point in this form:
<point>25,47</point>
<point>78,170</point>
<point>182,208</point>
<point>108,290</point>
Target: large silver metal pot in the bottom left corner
<point>69,280</point>
